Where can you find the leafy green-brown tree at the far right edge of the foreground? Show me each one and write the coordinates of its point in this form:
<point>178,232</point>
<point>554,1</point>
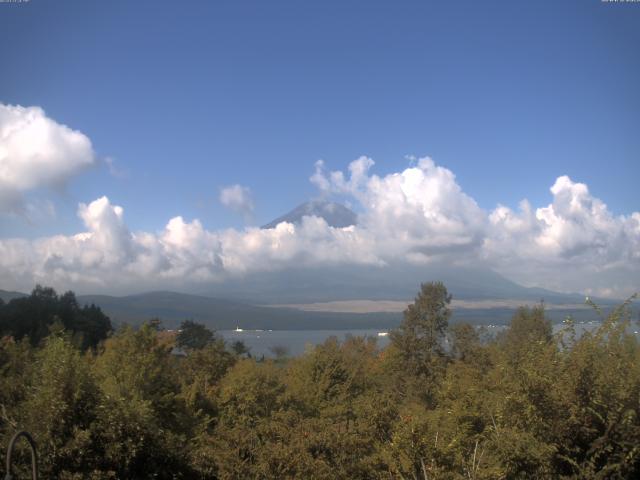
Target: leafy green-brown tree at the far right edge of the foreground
<point>598,387</point>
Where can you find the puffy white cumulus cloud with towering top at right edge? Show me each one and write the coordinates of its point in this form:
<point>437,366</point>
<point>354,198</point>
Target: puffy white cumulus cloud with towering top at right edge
<point>575,242</point>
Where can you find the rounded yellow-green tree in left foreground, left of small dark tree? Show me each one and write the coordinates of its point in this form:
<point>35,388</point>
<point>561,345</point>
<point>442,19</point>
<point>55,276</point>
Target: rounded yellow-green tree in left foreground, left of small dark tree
<point>142,422</point>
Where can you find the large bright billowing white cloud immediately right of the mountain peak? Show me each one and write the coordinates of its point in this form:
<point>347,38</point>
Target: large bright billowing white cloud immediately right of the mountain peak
<point>420,212</point>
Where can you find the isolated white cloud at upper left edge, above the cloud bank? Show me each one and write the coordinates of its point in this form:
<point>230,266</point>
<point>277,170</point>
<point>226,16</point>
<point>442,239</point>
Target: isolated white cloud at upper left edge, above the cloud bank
<point>36,151</point>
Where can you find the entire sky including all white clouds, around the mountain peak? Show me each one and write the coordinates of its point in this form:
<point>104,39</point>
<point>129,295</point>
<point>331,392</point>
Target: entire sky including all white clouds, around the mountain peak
<point>144,140</point>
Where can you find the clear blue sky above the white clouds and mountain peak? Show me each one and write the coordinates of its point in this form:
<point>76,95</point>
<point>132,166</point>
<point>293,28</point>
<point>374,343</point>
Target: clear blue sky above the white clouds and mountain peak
<point>189,97</point>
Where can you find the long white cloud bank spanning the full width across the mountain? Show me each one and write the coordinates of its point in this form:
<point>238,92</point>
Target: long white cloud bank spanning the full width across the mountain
<point>419,215</point>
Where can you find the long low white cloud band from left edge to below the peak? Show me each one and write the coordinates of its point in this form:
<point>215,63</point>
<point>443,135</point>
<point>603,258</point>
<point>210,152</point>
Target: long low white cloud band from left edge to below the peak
<point>108,256</point>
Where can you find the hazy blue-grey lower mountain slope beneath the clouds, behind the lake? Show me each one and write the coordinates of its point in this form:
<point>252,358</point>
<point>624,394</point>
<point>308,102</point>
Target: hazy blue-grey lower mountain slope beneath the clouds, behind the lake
<point>392,282</point>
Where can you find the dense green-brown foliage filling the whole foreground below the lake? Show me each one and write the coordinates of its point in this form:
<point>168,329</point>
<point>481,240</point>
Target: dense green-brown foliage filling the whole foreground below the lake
<point>439,402</point>
